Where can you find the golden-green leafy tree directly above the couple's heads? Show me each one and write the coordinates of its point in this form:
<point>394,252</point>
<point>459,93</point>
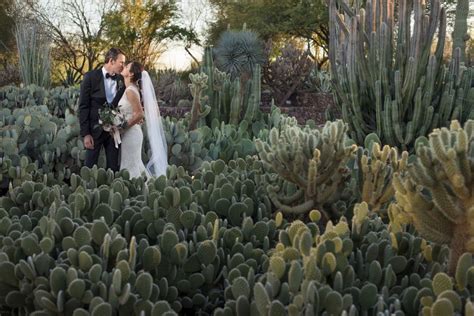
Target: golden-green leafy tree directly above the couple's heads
<point>141,28</point>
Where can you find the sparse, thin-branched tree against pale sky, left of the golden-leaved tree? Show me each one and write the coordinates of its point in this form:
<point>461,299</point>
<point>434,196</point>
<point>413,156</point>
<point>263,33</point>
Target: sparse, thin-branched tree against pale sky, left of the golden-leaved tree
<point>77,31</point>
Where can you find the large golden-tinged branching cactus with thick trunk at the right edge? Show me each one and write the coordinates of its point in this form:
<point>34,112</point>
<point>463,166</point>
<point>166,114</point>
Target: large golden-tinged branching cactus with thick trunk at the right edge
<point>436,193</point>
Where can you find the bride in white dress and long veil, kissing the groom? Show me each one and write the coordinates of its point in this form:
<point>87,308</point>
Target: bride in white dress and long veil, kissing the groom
<point>139,91</point>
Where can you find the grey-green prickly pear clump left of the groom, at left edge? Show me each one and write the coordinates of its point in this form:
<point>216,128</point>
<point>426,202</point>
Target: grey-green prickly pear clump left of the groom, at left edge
<point>52,143</point>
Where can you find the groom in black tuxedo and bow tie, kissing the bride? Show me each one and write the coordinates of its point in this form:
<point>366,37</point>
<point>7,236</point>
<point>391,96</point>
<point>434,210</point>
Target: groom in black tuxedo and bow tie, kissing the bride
<point>101,86</point>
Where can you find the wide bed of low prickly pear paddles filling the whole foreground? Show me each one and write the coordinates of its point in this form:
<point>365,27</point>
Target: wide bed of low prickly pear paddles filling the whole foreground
<point>210,242</point>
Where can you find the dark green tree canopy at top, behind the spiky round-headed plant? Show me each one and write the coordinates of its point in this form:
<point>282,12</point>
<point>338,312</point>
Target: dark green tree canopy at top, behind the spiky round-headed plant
<point>277,20</point>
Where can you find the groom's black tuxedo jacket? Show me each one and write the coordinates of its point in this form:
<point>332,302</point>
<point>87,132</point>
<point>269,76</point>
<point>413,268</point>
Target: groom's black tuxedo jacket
<point>92,98</point>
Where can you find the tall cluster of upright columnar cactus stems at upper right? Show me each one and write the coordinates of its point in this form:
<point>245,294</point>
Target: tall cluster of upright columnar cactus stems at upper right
<point>387,78</point>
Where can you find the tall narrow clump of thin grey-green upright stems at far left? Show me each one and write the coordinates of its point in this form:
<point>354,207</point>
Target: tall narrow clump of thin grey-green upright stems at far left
<point>34,54</point>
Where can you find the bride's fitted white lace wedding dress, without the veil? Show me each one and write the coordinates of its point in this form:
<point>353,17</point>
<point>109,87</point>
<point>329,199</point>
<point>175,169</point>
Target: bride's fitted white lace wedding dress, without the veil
<point>132,141</point>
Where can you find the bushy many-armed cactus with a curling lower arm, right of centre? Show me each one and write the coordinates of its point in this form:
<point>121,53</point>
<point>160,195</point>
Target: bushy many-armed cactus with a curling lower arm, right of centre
<point>313,160</point>
